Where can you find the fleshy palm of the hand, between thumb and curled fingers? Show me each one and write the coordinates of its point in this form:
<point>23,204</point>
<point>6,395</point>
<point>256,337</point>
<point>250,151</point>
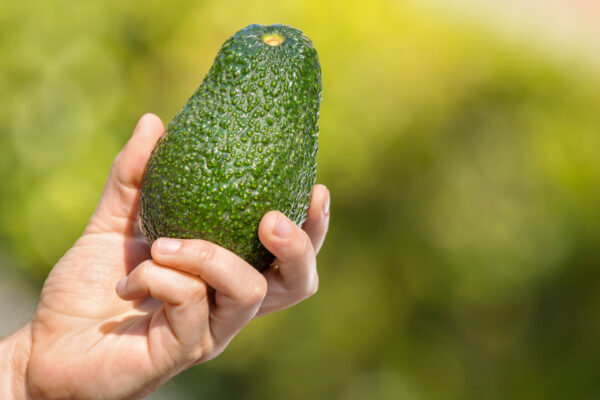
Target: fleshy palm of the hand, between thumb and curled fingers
<point>113,339</point>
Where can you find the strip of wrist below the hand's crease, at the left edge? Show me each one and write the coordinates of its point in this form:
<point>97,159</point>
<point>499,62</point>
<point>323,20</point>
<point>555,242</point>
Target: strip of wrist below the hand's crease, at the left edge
<point>14,356</point>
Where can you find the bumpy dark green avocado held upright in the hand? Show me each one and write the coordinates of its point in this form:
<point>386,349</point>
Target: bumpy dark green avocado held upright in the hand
<point>244,144</point>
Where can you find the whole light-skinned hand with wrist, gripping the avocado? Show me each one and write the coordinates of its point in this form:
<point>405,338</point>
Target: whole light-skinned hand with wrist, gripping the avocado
<point>117,317</point>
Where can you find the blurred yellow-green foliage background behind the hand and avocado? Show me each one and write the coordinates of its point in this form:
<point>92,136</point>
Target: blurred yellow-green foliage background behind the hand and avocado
<point>463,259</point>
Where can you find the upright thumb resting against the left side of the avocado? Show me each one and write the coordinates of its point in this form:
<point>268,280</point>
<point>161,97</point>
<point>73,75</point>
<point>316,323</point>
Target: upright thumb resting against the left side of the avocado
<point>118,207</point>
